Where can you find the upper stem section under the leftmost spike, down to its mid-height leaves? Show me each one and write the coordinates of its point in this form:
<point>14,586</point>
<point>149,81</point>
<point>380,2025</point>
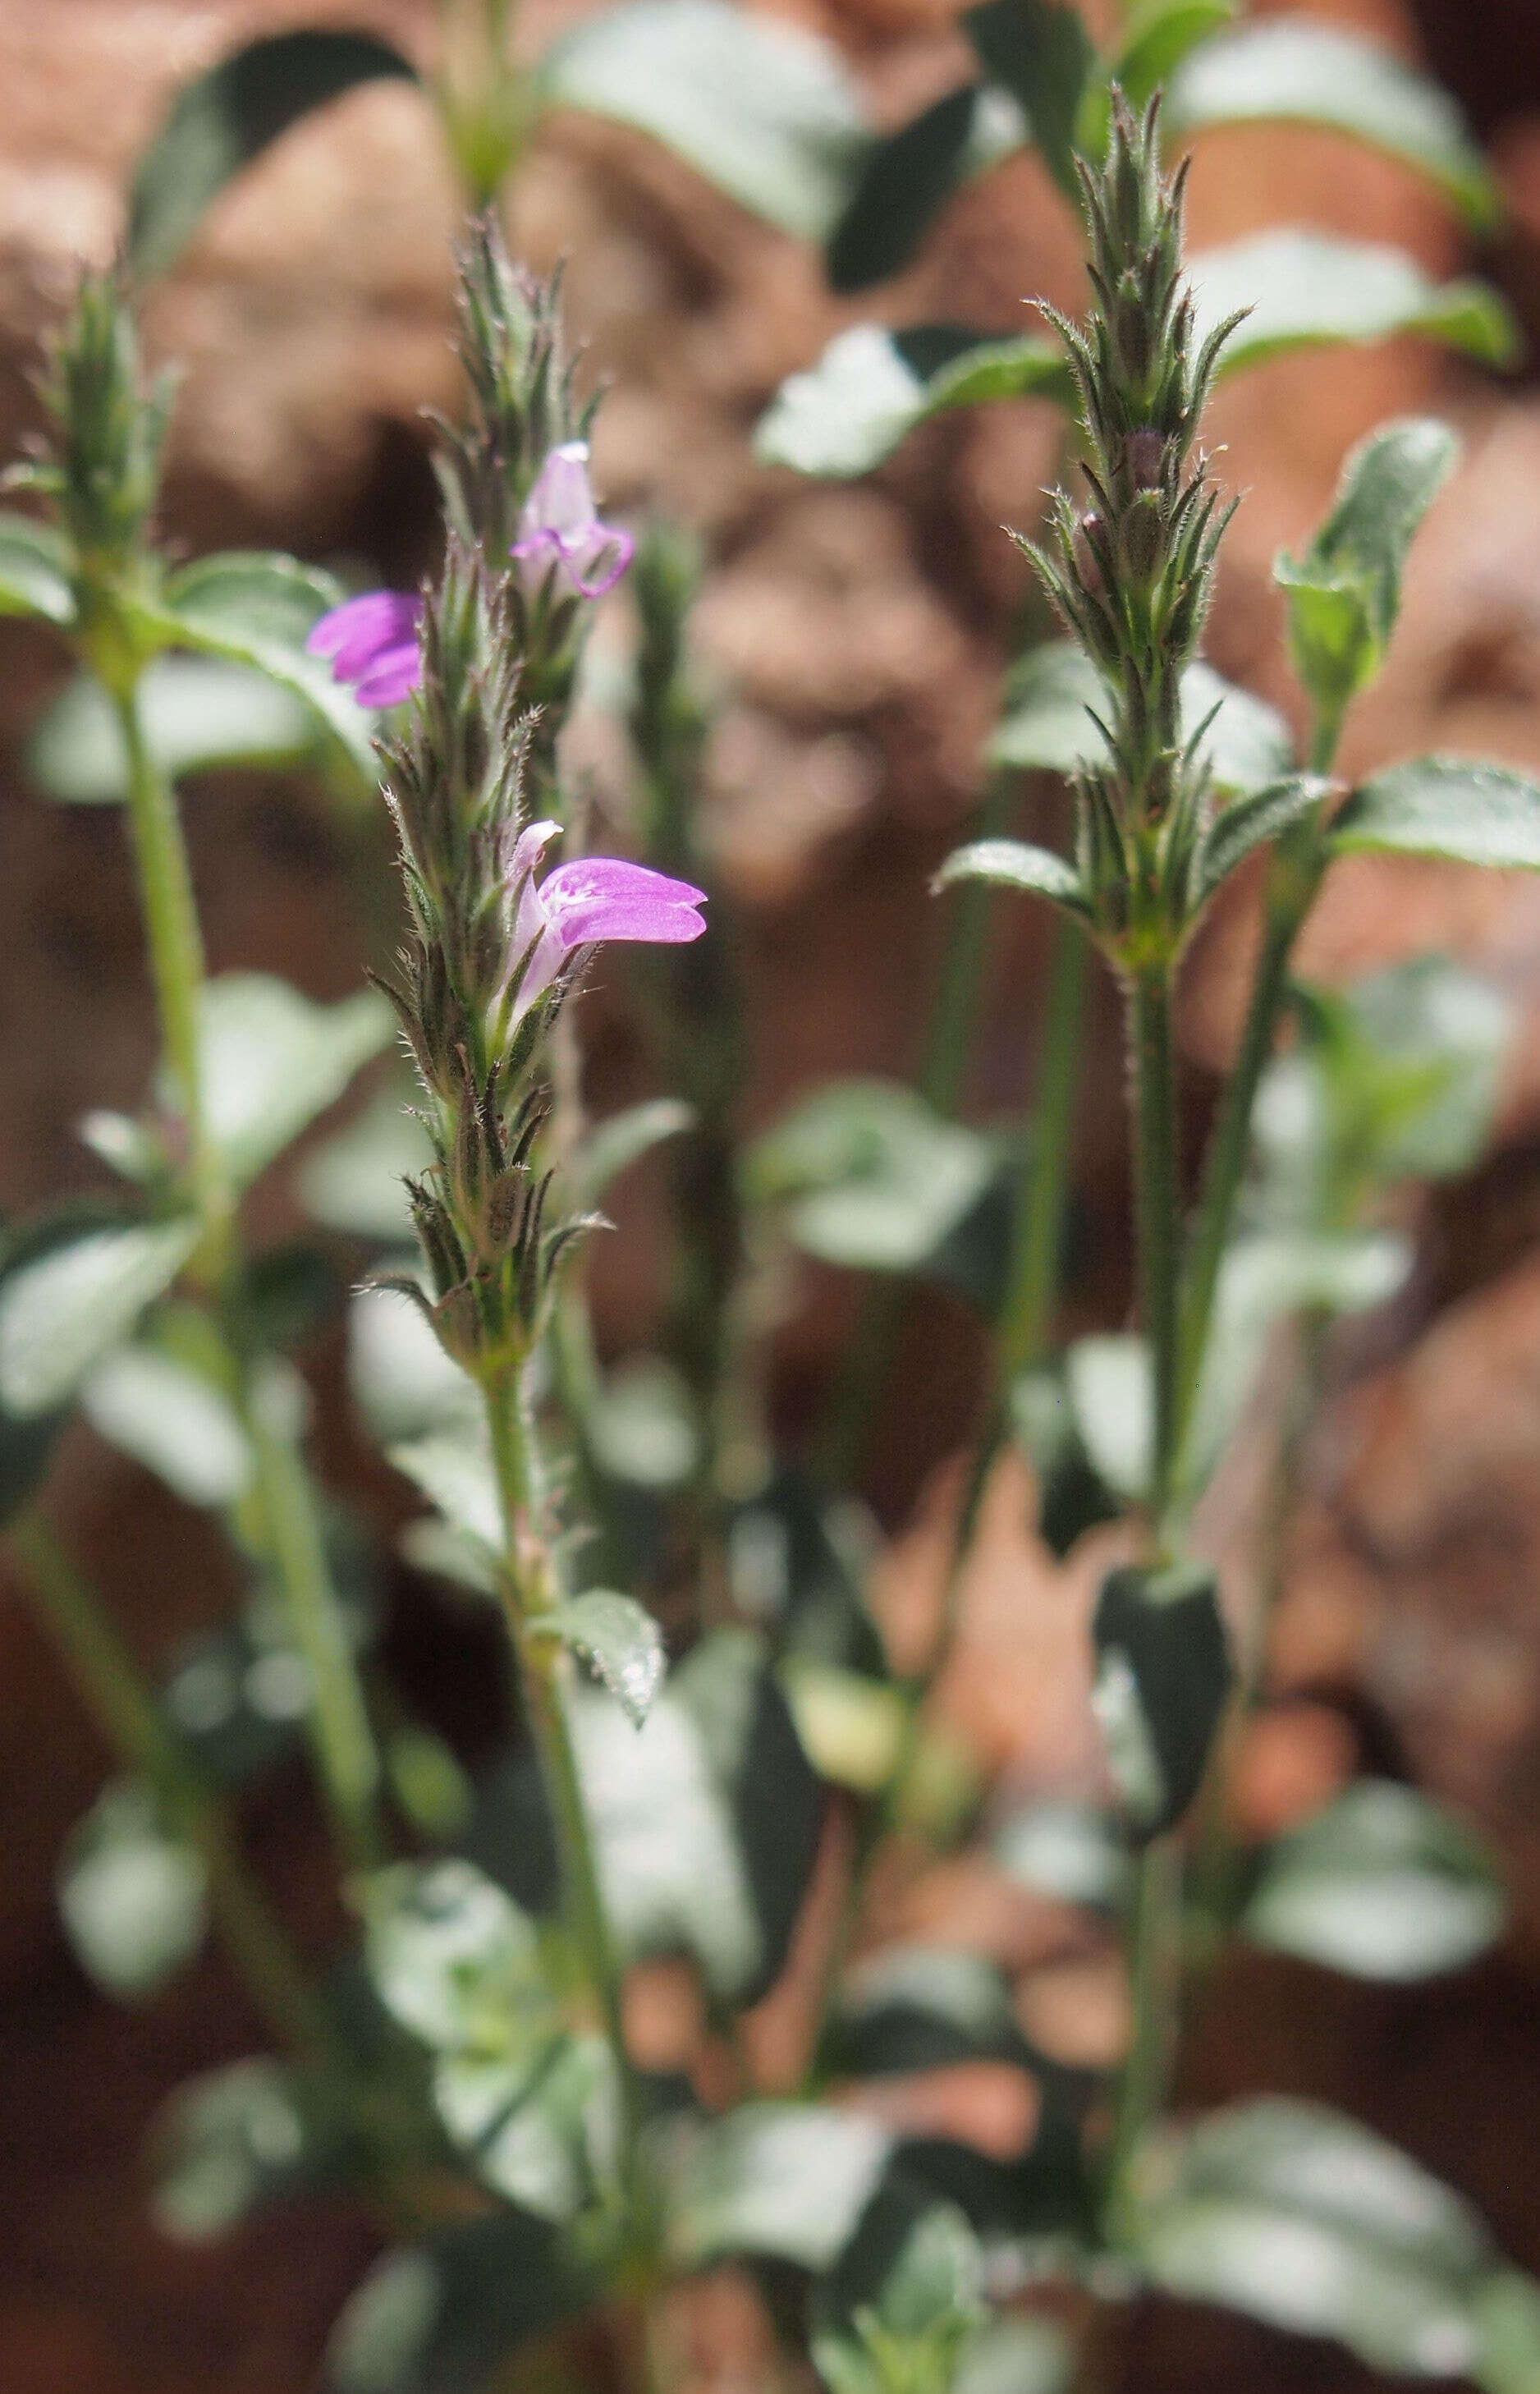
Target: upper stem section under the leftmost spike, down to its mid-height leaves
<point>176,954</point>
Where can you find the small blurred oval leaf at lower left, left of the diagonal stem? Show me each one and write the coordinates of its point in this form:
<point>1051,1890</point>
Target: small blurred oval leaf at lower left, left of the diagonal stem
<point>133,1895</point>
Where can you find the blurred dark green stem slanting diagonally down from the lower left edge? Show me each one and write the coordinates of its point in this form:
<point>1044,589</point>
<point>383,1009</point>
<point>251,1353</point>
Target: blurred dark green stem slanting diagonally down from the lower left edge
<point>116,1691</point>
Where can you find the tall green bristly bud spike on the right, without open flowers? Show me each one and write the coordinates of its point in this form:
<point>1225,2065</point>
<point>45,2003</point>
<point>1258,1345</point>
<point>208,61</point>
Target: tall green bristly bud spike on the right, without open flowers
<point>1132,571</point>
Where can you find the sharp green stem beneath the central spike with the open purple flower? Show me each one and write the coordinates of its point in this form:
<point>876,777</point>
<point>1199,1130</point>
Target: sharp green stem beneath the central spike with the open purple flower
<point>528,1586</point>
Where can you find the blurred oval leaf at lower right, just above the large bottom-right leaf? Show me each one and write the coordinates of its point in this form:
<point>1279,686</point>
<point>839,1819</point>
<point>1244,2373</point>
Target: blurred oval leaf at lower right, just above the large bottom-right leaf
<point>1378,1885</point>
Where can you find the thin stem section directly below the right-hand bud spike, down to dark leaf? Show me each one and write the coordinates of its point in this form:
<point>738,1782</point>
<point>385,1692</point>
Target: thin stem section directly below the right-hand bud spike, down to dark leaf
<point>1158,1208</point>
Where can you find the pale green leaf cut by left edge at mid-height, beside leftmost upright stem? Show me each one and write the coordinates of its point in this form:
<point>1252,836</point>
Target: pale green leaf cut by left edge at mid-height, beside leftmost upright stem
<point>71,1292</point>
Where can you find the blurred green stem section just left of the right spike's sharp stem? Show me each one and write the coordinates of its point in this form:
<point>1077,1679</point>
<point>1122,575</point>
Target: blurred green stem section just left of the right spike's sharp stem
<point>1038,1234</point>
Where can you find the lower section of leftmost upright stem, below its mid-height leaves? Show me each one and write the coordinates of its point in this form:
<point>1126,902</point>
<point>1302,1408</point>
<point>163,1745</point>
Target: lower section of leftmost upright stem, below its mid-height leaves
<point>346,1751</point>
